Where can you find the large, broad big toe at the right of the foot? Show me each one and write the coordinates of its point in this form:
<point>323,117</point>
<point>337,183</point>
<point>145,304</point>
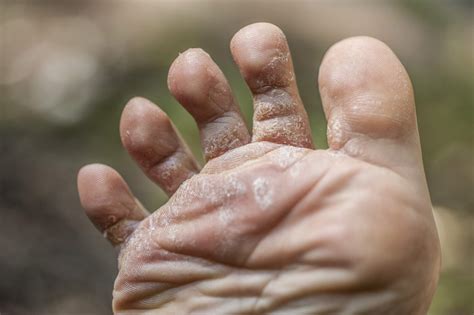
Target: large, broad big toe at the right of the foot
<point>368,102</point>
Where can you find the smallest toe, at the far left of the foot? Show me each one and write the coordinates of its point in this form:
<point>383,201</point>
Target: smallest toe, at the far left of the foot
<point>108,202</point>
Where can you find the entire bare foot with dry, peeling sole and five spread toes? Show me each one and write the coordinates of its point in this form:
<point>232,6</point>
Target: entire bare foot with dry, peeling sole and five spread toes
<point>271,225</point>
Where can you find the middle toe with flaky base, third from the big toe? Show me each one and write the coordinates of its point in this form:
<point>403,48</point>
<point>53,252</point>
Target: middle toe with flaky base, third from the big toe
<point>200,86</point>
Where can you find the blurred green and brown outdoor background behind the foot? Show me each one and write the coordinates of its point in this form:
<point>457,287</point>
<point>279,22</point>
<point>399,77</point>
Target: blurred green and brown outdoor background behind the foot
<point>68,67</point>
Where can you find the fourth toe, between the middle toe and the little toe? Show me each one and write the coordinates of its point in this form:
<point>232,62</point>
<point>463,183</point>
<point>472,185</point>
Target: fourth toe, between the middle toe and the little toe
<point>152,140</point>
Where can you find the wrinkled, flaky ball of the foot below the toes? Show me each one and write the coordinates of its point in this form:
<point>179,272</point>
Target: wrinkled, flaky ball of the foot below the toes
<point>243,241</point>
